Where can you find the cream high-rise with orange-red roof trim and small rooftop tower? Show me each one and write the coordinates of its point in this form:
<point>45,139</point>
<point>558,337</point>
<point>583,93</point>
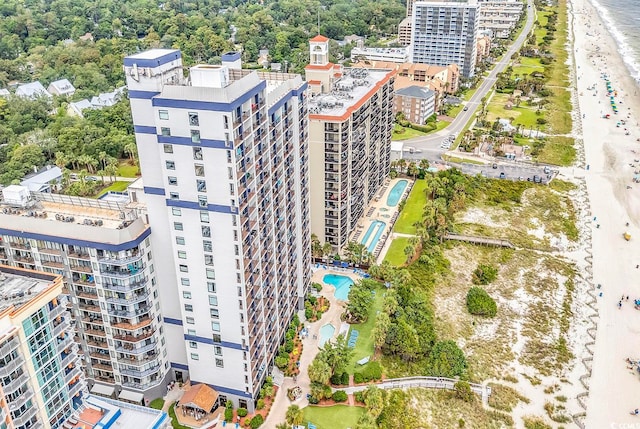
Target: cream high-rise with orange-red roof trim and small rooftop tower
<point>350,124</point>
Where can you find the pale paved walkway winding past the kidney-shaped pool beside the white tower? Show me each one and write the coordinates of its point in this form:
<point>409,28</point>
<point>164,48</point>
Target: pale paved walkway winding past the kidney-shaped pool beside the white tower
<point>310,349</point>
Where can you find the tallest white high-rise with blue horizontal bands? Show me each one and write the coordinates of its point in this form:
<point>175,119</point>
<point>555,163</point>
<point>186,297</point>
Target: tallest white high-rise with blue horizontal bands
<point>223,155</point>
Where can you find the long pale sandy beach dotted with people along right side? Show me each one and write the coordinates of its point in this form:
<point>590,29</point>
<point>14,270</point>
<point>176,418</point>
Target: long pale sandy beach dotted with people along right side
<point>612,155</point>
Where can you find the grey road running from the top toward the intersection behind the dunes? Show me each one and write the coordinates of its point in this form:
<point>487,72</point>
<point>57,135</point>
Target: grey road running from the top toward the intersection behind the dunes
<point>429,146</point>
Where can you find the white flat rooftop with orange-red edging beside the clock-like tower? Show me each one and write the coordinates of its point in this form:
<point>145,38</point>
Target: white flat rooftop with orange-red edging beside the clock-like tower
<point>354,85</point>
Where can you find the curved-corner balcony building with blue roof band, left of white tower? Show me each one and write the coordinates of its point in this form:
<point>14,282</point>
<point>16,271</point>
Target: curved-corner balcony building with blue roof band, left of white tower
<point>102,252</point>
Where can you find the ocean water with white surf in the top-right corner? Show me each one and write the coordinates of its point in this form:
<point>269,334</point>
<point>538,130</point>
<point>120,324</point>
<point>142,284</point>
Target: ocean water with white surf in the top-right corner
<point>622,19</point>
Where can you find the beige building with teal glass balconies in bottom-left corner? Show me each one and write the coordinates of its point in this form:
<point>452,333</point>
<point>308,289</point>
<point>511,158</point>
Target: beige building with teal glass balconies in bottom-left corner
<point>40,377</point>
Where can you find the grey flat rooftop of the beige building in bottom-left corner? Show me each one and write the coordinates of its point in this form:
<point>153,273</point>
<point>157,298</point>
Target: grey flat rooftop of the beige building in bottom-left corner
<point>17,287</point>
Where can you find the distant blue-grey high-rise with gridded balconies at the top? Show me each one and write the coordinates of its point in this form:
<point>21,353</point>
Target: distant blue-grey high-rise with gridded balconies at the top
<point>444,32</point>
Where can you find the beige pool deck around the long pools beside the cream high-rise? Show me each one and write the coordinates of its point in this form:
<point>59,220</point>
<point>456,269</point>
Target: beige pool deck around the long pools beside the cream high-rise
<point>379,211</point>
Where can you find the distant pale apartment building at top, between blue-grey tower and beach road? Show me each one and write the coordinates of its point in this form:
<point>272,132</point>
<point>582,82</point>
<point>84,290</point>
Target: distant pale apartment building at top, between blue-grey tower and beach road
<point>498,18</point>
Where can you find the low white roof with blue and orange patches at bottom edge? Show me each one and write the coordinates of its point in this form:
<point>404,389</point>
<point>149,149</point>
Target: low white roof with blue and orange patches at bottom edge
<point>103,413</point>
